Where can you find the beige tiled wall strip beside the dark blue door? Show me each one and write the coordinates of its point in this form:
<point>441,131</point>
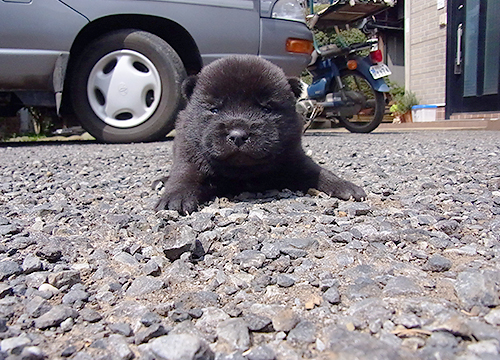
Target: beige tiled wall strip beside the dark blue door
<point>427,53</point>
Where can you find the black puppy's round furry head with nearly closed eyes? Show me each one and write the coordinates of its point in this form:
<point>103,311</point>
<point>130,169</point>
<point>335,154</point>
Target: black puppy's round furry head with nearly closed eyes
<point>241,111</point>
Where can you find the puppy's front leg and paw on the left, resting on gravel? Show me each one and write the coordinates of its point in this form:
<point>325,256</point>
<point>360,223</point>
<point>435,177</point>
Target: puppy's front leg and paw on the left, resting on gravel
<point>184,190</point>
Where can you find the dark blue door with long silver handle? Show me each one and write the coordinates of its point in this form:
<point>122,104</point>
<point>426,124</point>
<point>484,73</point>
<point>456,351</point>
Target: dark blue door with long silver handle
<point>473,56</point>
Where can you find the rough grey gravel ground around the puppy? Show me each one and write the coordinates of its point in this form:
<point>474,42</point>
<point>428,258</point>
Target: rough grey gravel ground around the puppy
<point>89,271</point>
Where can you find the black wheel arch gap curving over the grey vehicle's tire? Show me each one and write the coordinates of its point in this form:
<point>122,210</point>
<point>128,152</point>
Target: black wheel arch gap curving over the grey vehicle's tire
<point>173,33</point>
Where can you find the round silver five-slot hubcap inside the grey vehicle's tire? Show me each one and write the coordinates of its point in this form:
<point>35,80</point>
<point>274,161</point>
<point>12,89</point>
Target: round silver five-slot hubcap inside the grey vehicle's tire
<point>124,88</point>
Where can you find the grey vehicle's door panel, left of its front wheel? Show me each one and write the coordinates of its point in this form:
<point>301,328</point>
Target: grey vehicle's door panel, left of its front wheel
<point>33,35</point>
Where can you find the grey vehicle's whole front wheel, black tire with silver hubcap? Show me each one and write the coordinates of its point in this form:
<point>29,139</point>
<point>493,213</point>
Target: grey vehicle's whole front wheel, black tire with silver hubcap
<point>126,87</point>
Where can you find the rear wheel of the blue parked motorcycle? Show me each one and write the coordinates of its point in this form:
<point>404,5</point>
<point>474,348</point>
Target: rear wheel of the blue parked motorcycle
<point>371,115</point>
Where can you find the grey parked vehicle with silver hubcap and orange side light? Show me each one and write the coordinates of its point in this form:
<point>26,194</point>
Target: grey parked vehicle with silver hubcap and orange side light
<point>117,66</point>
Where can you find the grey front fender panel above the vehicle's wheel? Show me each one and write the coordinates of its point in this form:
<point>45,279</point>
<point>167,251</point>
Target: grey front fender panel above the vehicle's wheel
<point>218,27</point>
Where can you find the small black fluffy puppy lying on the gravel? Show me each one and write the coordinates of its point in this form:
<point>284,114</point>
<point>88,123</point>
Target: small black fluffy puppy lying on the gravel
<point>240,132</point>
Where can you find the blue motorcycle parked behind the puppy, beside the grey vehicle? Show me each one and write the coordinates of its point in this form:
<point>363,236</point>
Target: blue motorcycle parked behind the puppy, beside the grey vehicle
<point>347,86</point>
